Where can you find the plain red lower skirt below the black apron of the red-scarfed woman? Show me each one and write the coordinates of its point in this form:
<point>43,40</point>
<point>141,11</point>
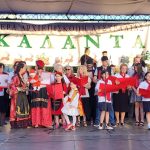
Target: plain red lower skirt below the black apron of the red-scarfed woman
<point>42,116</point>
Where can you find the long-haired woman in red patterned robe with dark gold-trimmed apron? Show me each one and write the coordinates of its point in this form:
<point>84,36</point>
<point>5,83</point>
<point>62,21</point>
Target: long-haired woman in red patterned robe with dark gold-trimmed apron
<point>19,109</point>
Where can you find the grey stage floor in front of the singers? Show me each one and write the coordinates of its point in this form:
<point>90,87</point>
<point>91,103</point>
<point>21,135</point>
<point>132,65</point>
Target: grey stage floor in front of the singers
<point>128,137</point>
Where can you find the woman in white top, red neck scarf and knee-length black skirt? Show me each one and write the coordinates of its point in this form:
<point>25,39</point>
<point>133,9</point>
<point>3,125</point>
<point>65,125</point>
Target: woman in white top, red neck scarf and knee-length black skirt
<point>121,99</point>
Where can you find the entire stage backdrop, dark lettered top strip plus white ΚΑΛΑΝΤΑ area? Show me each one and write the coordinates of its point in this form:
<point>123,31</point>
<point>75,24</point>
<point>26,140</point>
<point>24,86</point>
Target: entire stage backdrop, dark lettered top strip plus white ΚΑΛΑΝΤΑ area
<point>68,44</point>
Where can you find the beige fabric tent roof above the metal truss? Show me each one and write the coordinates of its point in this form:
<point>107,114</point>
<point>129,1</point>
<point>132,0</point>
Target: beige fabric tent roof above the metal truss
<point>107,7</point>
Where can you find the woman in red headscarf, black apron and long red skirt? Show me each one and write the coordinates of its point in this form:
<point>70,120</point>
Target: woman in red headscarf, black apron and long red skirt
<point>40,103</point>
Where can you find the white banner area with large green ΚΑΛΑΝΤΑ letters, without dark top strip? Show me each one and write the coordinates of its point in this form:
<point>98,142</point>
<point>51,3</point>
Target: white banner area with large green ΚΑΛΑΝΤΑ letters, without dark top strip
<point>69,48</point>
